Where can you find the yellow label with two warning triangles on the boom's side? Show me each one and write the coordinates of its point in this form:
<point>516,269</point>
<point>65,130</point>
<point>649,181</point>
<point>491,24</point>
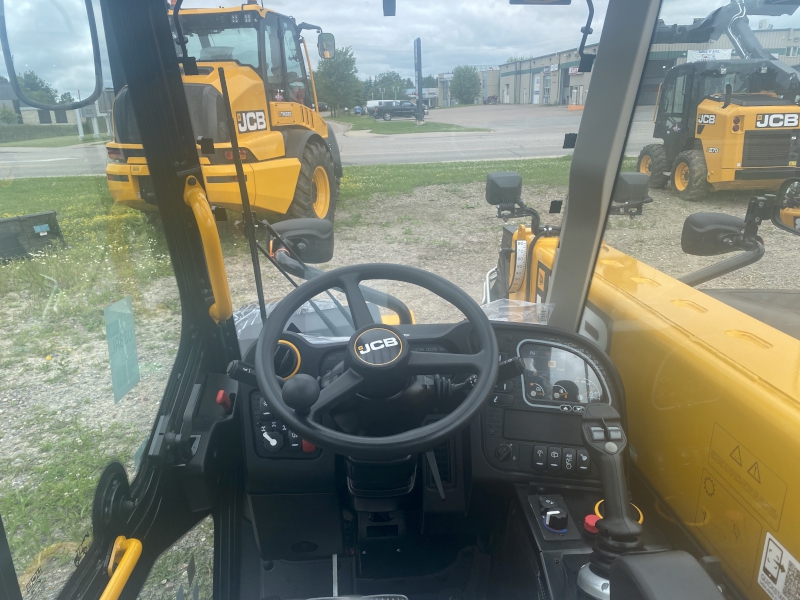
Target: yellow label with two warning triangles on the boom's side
<point>759,485</point>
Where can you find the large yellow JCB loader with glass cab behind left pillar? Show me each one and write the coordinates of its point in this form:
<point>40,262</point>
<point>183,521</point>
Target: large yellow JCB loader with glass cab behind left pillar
<point>291,158</point>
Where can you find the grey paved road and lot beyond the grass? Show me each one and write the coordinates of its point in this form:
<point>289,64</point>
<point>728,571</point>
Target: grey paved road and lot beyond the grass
<point>516,131</point>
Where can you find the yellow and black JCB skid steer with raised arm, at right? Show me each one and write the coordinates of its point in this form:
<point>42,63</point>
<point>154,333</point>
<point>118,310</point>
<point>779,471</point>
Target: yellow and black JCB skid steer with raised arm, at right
<point>725,124</point>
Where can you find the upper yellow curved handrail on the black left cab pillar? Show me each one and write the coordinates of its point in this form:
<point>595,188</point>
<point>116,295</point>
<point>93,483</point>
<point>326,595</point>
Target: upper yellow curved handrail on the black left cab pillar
<point>195,196</point>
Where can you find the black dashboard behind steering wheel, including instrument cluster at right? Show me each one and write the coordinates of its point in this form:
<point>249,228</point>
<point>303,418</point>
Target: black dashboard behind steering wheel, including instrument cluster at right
<point>531,426</point>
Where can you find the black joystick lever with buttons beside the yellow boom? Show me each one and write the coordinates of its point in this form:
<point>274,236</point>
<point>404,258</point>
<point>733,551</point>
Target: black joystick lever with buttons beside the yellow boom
<point>618,534</point>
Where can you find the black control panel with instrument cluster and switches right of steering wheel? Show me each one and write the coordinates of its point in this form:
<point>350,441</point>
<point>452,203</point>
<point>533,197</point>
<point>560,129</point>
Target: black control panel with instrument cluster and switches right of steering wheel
<point>533,420</point>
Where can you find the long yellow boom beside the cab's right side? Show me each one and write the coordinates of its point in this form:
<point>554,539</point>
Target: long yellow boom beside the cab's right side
<point>712,409</point>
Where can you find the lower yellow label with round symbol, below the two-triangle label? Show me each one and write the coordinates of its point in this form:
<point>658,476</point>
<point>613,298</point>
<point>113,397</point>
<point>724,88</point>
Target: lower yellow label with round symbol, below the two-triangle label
<point>725,523</point>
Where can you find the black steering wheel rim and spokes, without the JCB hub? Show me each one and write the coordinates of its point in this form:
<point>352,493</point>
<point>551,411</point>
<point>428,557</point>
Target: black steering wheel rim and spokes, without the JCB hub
<point>484,363</point>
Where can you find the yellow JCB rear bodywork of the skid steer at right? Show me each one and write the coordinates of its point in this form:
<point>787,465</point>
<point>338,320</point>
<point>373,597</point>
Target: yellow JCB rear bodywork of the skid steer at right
<point>738,139</point>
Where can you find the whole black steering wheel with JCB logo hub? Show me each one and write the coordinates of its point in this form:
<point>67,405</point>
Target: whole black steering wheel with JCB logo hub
<point>378,359</point>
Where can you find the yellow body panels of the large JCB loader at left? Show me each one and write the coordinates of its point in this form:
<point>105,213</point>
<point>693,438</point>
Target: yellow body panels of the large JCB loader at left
<point>271,175</point>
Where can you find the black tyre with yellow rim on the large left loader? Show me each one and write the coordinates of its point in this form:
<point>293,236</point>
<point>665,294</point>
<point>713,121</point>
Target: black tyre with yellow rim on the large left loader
<point>317,188</point>
